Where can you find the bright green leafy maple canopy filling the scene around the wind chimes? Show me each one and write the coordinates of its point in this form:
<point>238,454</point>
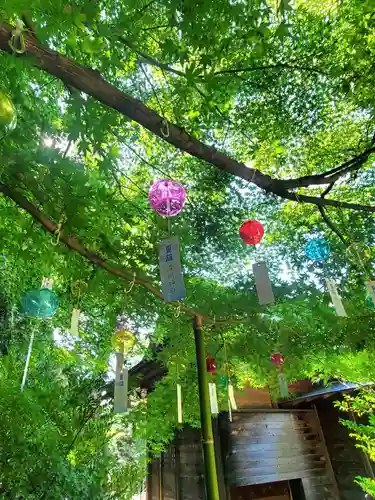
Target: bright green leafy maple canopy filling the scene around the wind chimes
<point>287,88</point>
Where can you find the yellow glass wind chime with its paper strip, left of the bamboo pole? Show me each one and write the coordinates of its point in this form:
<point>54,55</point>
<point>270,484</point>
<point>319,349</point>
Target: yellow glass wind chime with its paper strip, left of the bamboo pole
<point>123,342</point>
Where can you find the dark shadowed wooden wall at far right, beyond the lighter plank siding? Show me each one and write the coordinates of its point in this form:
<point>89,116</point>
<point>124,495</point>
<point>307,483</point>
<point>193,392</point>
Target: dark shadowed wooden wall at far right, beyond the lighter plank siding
<point>347,460</point>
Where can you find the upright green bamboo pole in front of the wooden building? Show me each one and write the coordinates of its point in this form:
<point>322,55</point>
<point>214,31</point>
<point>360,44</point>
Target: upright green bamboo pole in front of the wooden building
<point>210,472</point>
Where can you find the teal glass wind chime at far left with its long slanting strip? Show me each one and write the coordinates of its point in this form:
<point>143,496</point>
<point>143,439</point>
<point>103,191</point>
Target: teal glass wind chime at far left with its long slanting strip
<point>40,304</point>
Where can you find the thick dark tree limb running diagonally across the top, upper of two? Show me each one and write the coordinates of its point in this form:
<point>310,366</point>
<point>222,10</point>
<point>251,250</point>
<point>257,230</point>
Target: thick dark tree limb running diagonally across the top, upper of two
<point>93,84</point>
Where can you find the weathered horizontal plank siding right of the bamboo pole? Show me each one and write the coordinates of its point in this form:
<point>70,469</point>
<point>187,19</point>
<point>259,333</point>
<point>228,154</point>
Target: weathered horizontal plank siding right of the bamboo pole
<point>276,445</point>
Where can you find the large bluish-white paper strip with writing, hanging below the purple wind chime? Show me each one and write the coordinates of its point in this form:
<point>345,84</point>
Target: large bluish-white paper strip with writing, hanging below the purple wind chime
<point>172,280</point>
